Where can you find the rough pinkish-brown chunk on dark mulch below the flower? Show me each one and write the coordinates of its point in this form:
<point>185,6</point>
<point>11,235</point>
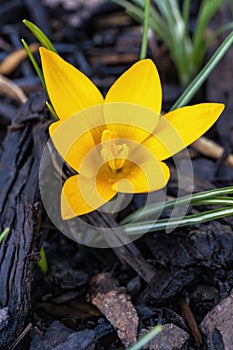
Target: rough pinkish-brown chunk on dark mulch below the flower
<point>116,306</point>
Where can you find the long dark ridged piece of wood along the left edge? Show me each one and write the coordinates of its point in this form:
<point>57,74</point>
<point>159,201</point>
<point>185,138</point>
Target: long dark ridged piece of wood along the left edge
<point>20,210</point>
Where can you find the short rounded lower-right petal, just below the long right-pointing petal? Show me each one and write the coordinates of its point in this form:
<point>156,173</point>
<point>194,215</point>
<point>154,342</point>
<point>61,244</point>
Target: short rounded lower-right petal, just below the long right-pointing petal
<point>146,177</point>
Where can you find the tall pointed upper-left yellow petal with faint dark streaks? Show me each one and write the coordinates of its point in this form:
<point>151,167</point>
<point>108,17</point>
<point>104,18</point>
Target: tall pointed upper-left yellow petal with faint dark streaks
<point>69,90</point>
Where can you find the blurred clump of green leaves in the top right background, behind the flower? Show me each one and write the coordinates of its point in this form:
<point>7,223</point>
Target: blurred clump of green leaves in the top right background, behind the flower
<point>170,22</point>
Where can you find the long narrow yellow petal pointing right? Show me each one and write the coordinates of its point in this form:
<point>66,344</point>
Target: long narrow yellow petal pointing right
<point>181,127</point>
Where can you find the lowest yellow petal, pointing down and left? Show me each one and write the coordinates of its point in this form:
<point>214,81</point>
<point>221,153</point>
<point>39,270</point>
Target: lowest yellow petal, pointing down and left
<point>81,195</point>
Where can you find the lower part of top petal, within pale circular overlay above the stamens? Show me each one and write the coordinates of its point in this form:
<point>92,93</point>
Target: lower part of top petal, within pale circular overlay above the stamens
<point>130,121</point>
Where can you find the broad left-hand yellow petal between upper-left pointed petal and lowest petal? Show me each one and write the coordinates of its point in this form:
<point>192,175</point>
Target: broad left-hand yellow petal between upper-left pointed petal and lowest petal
<point>76,137</point>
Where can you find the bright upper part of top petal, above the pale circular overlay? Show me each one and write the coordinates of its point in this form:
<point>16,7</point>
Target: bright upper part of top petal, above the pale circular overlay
<point>140,85</point>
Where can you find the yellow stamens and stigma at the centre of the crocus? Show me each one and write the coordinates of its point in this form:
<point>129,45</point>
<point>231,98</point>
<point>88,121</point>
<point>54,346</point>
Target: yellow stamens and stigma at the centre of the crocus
<point>115,155</point>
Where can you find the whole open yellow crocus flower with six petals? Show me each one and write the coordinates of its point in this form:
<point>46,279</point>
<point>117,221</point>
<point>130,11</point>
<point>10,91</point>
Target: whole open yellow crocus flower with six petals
<point>116,143</point>
